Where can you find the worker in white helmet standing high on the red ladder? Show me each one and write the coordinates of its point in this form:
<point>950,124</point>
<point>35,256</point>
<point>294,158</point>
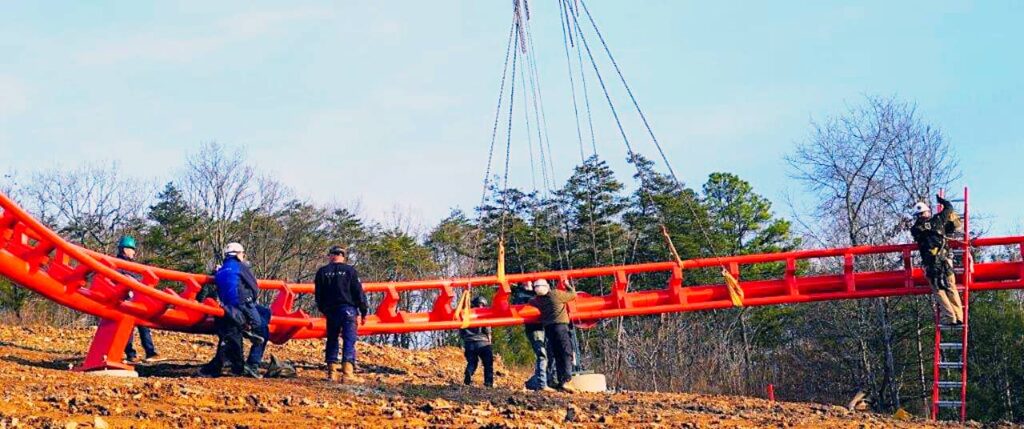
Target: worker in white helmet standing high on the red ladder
<point>930,234</point>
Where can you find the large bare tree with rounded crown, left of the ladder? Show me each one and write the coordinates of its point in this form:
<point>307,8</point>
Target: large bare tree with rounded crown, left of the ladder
<point>865,169</point>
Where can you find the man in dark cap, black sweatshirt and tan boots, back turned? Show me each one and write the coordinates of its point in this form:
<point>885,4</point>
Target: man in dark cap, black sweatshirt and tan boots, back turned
<point>340,297</point>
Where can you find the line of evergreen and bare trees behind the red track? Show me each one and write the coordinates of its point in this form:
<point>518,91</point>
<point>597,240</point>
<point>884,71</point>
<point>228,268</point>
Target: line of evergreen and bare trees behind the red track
<point>860,171</point>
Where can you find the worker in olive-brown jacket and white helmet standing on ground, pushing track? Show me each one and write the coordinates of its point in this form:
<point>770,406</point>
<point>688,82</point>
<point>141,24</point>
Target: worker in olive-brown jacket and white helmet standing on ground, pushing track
<point>556,318</point>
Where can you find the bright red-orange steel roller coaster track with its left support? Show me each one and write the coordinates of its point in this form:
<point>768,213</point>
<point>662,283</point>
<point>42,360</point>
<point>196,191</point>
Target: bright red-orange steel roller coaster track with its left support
<point>37,259</point>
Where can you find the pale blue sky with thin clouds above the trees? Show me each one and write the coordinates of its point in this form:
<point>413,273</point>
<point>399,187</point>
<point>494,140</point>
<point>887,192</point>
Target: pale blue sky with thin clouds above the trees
<point>392,105</point>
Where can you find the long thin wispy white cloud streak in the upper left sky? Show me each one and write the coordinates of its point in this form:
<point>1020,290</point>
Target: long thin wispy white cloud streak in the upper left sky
<point>188,47</point>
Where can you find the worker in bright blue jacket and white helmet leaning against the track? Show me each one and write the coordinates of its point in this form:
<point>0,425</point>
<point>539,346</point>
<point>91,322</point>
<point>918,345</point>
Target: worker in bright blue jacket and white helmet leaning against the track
<point>237,291</point>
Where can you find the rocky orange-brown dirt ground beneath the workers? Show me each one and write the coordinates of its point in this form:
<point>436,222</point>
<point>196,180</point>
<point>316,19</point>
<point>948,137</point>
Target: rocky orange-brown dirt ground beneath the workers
<point>403,390</point>
